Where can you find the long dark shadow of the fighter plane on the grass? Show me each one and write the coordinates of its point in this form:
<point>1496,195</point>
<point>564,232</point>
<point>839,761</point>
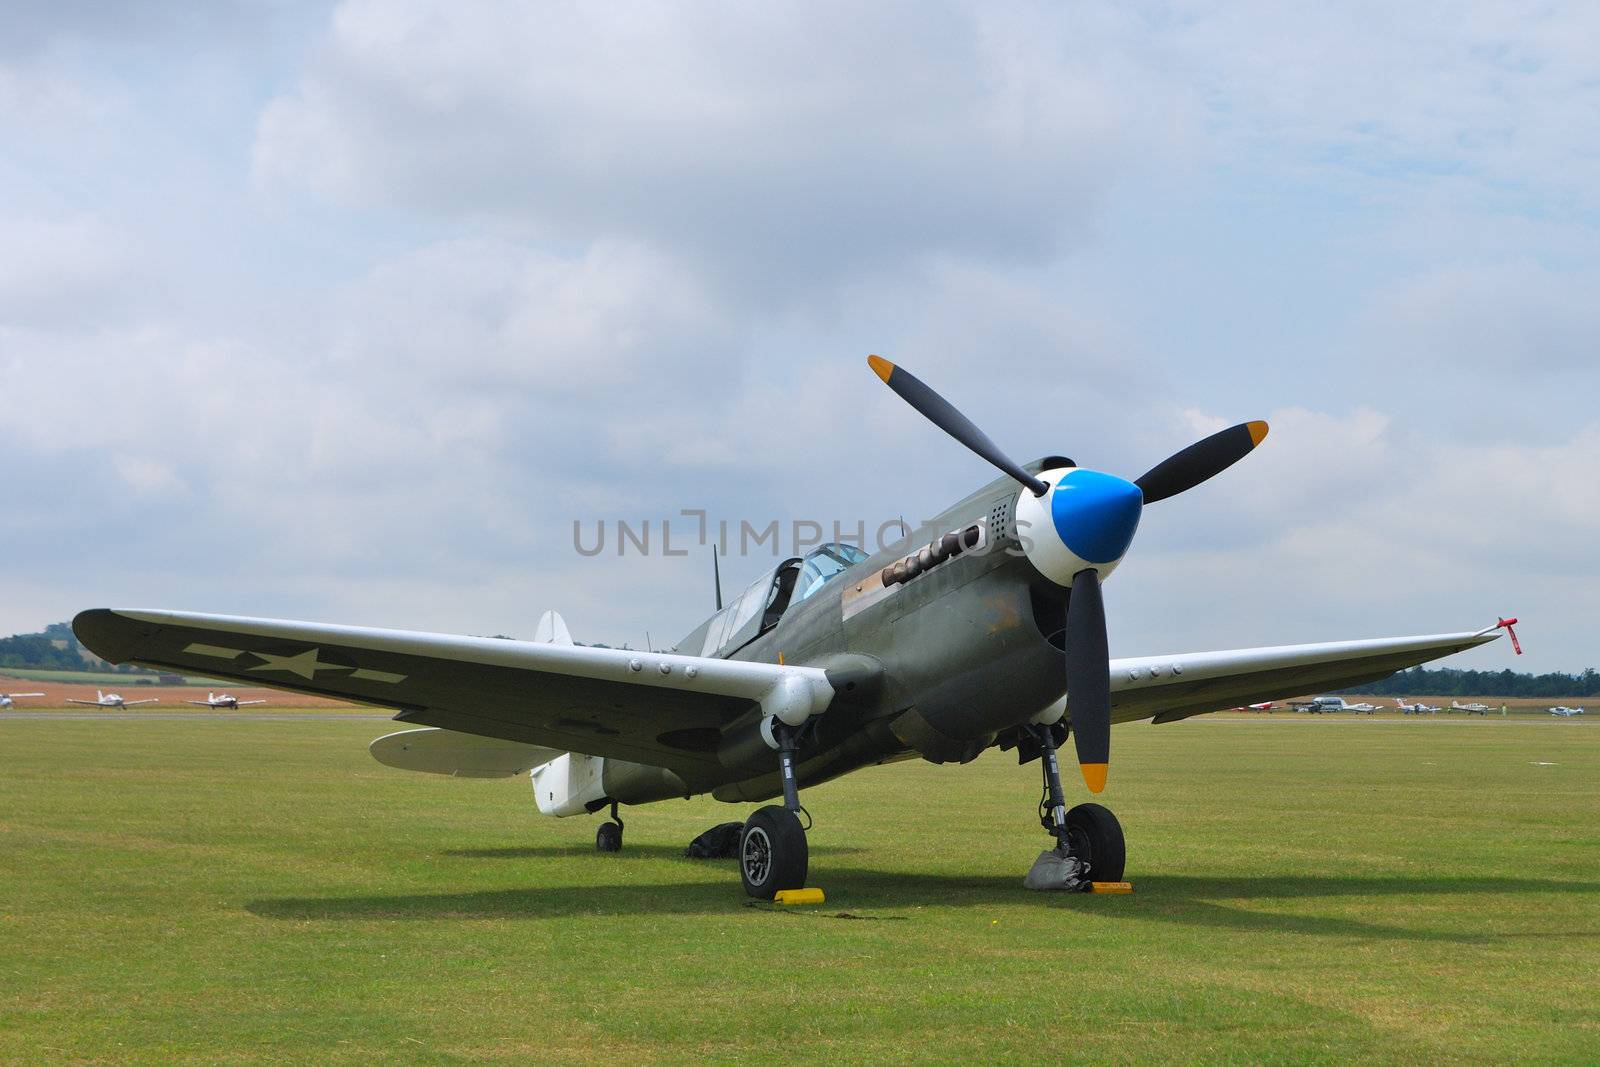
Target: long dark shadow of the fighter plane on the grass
<point>1183,900</point>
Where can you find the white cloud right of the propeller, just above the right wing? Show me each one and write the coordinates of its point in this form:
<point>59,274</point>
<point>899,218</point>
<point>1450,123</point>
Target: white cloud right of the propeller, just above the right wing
<point>1354,524</point>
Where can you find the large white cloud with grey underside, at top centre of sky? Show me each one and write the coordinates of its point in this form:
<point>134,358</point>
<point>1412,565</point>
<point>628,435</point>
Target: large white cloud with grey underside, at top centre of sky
<point>793,145</point>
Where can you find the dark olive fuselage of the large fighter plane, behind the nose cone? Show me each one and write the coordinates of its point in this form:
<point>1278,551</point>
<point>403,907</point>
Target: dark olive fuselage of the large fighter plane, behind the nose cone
<point>937,665</point>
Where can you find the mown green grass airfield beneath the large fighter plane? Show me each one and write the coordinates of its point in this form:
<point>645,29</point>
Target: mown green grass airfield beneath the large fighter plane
<point>1310,892</point>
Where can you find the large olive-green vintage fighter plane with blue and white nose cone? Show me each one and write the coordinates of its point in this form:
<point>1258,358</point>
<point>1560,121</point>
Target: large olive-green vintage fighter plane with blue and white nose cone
<point>991,634</point>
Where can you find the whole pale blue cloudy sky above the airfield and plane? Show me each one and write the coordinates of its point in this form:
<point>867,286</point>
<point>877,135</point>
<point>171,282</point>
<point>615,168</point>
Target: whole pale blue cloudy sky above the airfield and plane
<point>348,313</point>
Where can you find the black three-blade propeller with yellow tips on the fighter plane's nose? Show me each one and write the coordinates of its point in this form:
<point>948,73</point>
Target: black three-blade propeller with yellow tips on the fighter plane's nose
<point>1089,660</point>
